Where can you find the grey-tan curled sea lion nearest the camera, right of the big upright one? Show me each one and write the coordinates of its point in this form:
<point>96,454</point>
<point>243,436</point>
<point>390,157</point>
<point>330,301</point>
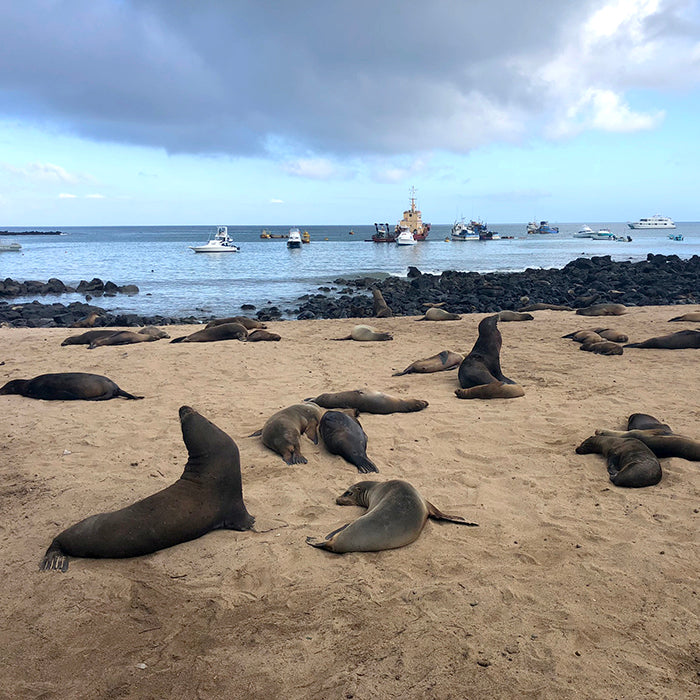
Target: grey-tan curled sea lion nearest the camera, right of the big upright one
<point>396,514</point>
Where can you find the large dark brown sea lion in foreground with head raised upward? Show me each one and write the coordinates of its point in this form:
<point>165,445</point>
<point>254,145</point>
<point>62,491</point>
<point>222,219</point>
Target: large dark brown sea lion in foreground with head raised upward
<point>208,496</point>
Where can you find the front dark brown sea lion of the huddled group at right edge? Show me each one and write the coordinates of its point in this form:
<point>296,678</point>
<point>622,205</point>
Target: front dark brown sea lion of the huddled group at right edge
<point>630,462</point>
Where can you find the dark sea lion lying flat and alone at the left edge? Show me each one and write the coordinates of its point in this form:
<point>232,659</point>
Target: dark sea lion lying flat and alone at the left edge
<point>67,386</point>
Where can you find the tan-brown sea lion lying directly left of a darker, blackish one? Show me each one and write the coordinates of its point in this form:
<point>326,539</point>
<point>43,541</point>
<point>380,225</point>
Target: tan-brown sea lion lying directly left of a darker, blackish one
<point>283,430</point>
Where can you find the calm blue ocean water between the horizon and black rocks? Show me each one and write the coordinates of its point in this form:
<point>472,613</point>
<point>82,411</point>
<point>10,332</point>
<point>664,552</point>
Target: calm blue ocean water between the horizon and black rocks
<point>174,281</point>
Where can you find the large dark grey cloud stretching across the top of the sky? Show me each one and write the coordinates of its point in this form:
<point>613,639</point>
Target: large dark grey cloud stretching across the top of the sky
<point>237,77</point>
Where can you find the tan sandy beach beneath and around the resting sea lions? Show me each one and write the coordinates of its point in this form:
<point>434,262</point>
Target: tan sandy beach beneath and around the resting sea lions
<point>569,588</point>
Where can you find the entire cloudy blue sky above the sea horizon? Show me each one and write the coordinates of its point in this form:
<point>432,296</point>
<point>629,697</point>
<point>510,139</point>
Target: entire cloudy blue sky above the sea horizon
<point>311,112</point>
